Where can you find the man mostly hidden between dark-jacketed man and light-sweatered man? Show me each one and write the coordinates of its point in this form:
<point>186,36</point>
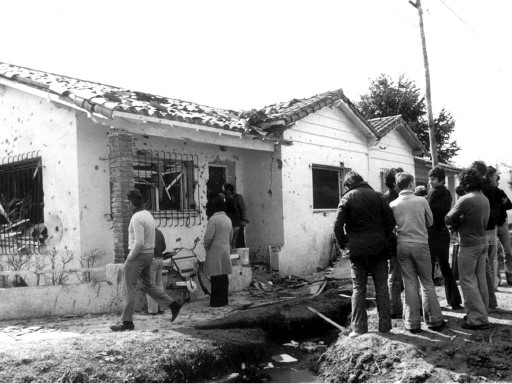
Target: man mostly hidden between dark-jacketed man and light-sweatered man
<point>395,274</point>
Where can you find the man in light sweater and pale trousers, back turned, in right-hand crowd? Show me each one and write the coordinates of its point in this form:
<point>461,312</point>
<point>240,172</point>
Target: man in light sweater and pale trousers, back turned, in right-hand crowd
<point>413,216</point>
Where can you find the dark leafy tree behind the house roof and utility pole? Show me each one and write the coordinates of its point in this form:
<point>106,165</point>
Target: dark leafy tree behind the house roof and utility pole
<point>385,98</point>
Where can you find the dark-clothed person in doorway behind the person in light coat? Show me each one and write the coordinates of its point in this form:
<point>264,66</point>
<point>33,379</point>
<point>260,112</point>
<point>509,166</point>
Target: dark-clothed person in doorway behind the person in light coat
<point>236,212</point>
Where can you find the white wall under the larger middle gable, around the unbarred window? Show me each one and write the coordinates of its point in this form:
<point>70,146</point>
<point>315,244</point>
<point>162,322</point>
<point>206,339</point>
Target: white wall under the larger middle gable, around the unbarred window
<point>326,137</point>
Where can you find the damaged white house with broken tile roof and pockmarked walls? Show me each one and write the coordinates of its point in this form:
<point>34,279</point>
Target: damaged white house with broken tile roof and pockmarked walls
<point>72,149</point>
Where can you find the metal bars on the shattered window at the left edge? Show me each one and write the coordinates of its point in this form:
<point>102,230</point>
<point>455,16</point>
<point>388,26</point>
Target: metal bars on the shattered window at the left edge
<point>21,196</point>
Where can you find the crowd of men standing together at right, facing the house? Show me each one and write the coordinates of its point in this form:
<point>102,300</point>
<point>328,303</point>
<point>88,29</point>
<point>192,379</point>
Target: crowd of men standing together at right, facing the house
<point>399,236</point>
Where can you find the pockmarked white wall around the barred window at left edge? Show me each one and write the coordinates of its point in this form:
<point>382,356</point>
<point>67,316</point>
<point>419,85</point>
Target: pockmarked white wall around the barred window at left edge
<point>29,123</point>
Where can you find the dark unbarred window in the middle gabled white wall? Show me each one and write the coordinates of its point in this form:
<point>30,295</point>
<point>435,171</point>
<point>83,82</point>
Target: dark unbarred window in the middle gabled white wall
<point>327,186</point>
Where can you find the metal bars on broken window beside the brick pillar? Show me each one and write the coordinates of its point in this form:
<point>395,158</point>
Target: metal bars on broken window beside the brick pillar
<point>168,183</point>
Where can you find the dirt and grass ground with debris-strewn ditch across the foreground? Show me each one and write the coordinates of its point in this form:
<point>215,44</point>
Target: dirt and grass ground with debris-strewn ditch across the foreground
<point>231,344</point>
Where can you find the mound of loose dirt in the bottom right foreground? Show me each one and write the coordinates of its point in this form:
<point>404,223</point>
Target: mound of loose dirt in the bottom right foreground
<point>450,356</point>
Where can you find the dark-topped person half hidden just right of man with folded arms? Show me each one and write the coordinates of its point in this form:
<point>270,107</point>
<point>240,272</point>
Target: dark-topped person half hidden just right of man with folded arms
<point>493,195</point>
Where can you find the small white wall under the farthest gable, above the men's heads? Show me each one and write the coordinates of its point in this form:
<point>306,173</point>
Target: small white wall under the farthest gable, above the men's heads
<point>392,151</point>
